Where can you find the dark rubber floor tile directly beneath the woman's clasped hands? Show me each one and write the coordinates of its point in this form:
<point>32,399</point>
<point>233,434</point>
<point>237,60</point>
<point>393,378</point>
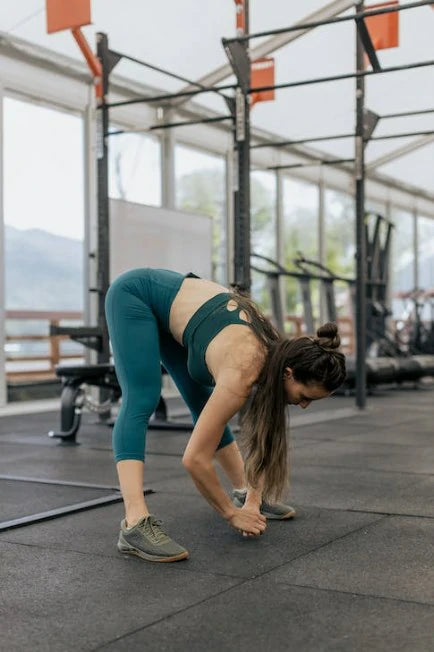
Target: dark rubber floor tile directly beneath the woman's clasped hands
<point>215,545</point>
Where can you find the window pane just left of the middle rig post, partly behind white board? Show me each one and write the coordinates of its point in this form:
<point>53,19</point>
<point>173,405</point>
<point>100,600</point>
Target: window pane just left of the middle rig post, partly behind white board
<point>201,188</point>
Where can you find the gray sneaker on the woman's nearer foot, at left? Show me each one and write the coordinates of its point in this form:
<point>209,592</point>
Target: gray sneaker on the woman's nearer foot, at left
<point>148,540</point>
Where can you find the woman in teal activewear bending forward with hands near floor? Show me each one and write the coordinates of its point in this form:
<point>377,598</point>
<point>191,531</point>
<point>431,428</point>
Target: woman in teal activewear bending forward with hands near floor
<point>223,355</point>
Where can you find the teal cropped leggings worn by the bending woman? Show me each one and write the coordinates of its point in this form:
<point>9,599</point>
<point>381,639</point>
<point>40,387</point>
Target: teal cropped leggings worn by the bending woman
<point>137,311</point>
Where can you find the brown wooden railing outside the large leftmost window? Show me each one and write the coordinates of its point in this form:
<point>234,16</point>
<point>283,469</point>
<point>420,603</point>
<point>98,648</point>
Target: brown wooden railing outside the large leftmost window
<point>48,362</point>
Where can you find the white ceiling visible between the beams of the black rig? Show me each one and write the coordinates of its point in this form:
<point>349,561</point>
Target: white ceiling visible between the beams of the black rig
<point>184,36</point>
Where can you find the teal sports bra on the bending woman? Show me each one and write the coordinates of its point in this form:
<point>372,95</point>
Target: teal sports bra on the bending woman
<point>203,326</point>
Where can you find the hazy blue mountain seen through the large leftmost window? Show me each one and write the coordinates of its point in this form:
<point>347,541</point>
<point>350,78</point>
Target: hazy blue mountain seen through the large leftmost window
<point>43,271</point>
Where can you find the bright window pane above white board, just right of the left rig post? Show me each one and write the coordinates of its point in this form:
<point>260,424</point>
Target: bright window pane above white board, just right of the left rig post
<point>135,168</point>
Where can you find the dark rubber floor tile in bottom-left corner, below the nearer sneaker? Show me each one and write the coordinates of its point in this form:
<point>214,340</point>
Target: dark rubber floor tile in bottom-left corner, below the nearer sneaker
<point>63,601</point>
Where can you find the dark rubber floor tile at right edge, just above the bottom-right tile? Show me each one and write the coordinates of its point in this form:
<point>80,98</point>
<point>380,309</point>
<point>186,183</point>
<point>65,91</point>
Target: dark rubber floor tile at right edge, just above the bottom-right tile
<point>393,558</point>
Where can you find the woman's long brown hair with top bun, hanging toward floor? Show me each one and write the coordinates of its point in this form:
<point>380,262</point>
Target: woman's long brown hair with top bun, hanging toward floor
<point>264,425</point>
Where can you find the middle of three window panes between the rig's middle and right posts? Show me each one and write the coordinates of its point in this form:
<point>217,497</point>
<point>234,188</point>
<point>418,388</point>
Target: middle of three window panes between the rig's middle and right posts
<point>300,236</point>
